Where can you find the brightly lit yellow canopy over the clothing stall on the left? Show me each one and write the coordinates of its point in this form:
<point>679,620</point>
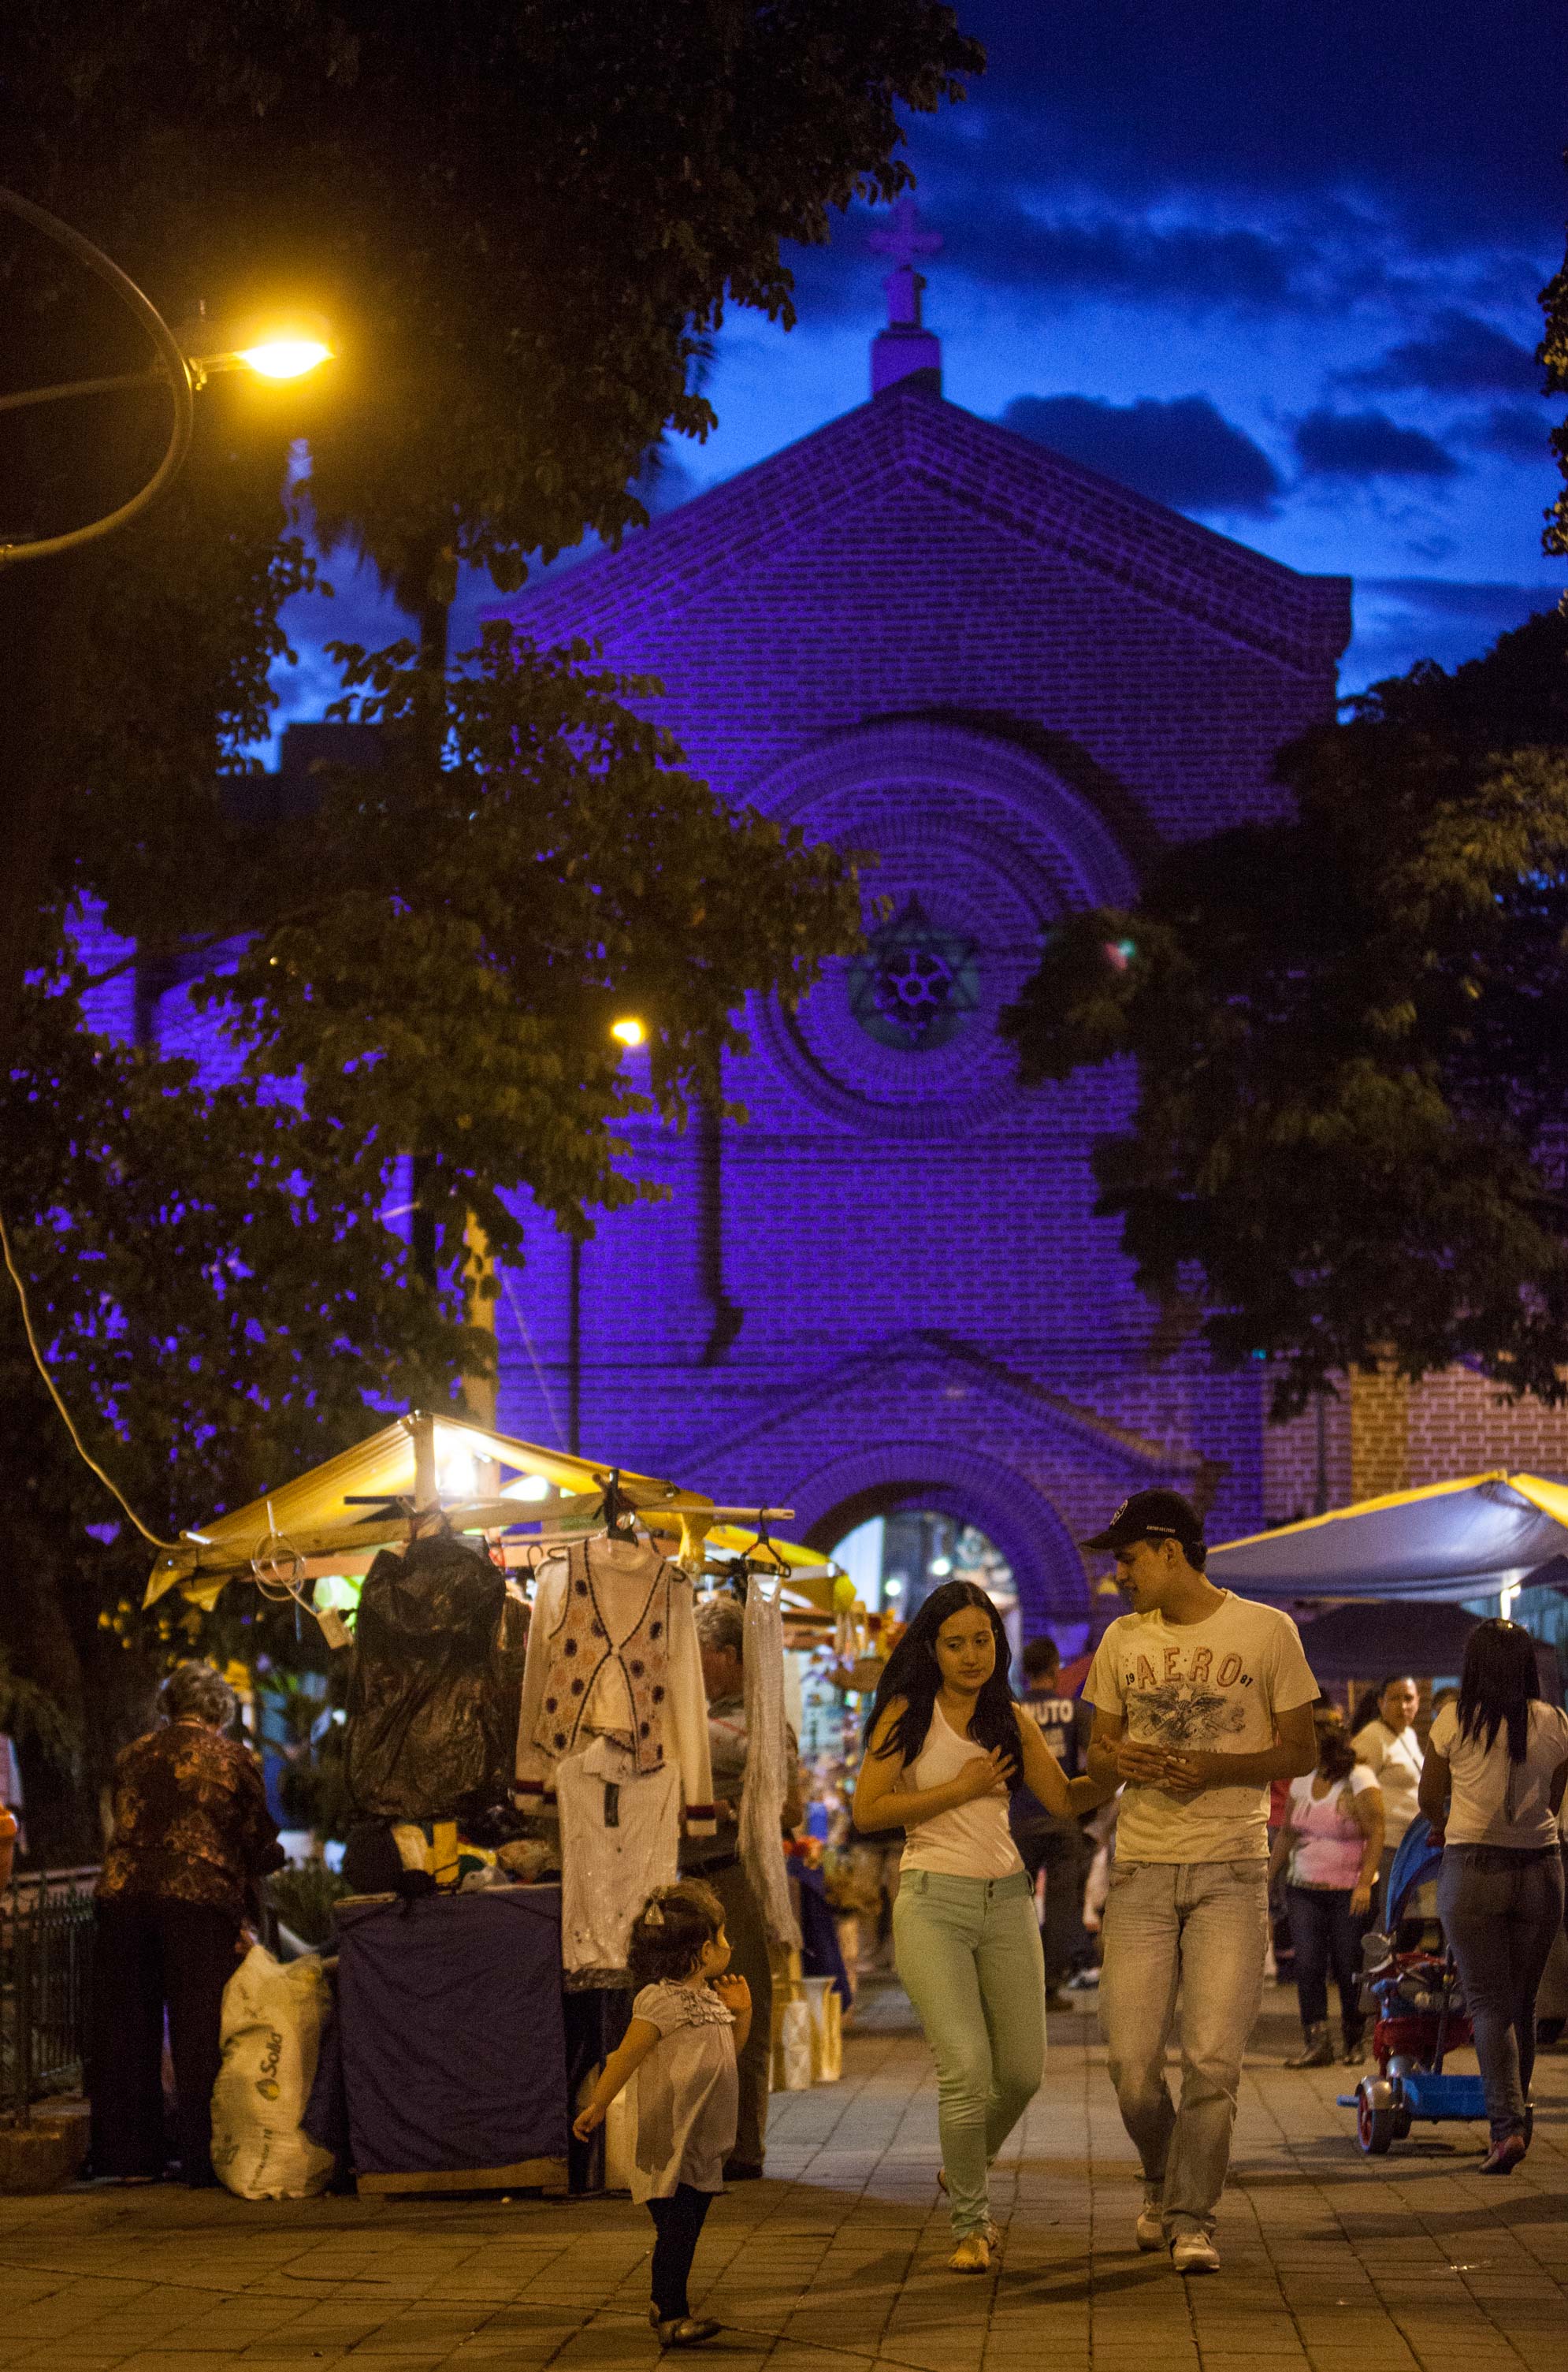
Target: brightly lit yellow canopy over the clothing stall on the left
<point>343,1512</point>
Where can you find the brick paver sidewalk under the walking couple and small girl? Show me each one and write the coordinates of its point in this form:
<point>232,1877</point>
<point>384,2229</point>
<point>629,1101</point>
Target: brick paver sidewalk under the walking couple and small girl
<point>839,2262</point>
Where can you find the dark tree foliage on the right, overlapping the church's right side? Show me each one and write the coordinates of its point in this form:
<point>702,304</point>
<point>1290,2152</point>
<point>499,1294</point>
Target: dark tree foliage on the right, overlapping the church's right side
<point>1349,1035</point>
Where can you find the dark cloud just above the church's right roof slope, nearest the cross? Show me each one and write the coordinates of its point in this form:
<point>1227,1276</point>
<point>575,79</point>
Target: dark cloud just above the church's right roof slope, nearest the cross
<point>1183,454</point>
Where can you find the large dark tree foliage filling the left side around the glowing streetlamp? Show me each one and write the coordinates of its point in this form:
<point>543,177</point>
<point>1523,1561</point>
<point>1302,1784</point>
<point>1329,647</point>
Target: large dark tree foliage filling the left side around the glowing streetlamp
<point>525,222</point>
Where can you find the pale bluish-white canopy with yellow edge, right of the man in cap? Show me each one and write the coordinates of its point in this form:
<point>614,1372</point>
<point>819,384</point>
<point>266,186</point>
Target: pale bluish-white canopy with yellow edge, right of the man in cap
<point>1451,1541</point>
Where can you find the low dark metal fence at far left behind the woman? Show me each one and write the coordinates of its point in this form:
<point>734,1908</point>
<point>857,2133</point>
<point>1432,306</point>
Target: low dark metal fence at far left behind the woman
<point>46,1968</point>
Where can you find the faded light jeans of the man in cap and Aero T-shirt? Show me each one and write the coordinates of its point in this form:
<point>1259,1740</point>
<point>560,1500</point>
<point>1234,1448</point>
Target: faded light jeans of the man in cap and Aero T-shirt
<point>1192,1930</point>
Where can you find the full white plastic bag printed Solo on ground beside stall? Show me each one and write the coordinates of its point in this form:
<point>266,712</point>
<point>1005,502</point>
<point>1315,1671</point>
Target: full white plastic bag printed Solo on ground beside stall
<point>272,2036</point>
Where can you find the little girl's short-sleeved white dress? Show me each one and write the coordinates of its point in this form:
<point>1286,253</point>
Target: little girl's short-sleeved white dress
<point>687,2093</point>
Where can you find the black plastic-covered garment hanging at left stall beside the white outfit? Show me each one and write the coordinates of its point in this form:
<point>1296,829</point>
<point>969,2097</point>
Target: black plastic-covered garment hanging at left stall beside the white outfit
<point>426,1728</point>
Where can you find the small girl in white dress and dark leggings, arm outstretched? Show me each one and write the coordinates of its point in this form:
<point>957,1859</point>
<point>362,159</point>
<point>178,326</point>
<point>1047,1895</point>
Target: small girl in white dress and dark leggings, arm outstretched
<point>687,2027</point>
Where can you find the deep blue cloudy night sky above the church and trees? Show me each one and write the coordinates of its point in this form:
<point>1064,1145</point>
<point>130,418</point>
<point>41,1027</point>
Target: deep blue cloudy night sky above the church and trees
<point>1273,264</point>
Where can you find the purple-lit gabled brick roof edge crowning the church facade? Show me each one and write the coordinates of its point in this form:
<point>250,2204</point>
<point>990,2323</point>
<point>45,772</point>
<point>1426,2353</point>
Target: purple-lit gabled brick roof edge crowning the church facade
<point>1028,495</point>
